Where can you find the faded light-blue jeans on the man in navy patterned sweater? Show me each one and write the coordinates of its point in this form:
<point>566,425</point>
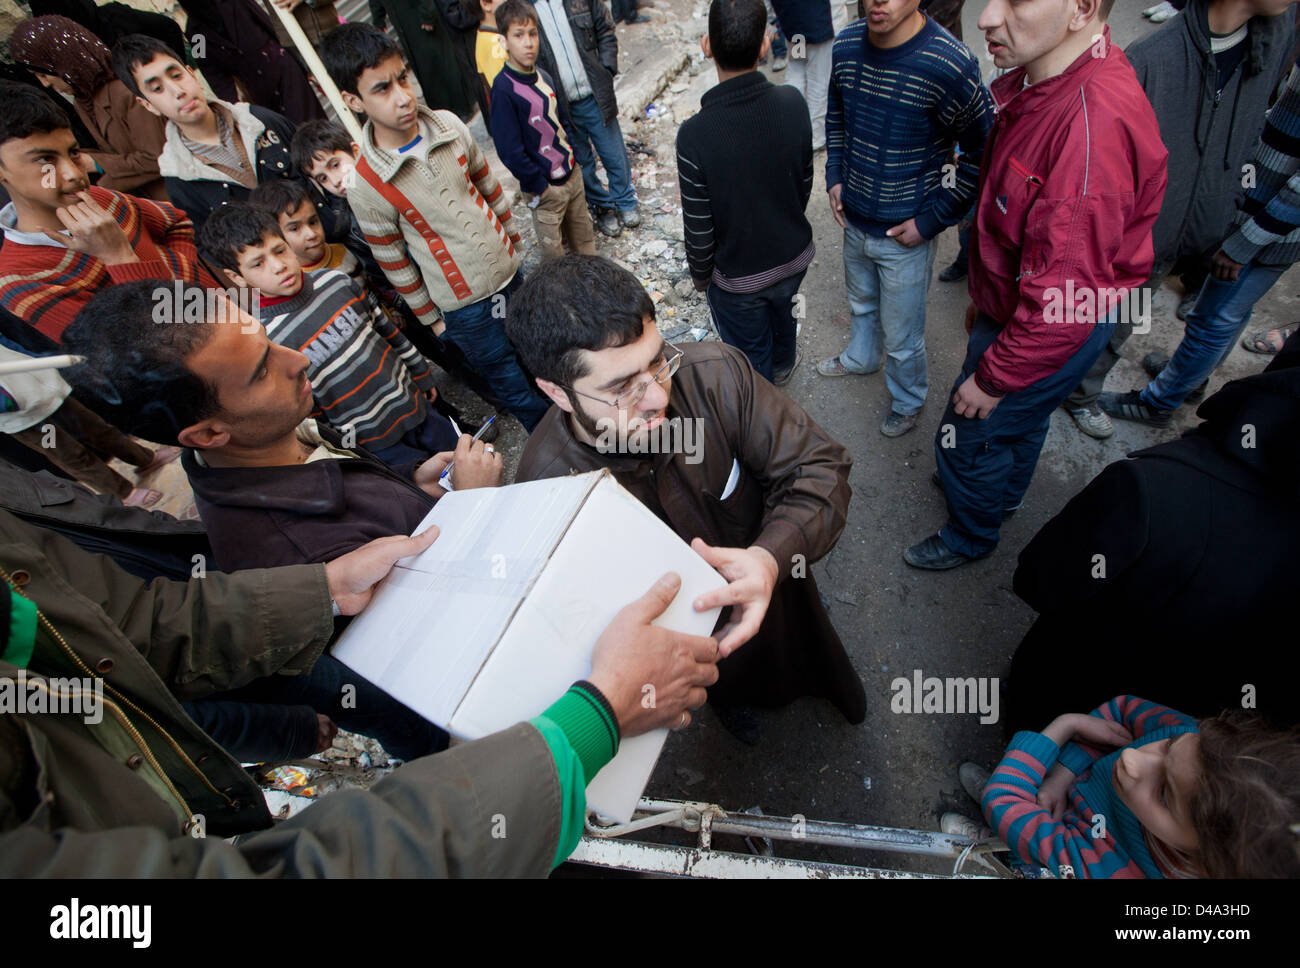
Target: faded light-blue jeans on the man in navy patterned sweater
<point>887,287</point>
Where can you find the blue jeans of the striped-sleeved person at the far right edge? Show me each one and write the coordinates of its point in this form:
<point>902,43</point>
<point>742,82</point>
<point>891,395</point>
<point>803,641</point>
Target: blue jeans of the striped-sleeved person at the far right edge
<point>1215,324</point>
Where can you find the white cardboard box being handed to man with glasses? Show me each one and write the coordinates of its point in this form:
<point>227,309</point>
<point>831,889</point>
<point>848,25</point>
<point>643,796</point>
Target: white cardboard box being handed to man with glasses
<point>499,617</point>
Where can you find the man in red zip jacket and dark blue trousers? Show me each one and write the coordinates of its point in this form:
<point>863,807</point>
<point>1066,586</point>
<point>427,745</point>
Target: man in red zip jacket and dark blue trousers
<point>1073,180</point>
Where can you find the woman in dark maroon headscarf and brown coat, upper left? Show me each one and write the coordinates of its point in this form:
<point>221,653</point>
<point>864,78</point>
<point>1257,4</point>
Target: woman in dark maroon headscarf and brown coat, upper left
<point>71,60</point>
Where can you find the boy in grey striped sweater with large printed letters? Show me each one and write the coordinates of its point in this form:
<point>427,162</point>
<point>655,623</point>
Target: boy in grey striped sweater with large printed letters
<point>369,381</point>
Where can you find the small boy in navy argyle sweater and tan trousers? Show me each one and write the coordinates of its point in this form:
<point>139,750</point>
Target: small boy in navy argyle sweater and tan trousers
<point>530,136</point>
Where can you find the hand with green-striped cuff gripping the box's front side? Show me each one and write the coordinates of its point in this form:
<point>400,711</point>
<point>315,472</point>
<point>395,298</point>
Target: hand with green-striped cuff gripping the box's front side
<point>652,676</point>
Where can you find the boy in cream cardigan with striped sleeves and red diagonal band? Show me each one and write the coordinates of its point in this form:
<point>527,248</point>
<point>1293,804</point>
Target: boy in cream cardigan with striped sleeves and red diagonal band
<point>435,216</point>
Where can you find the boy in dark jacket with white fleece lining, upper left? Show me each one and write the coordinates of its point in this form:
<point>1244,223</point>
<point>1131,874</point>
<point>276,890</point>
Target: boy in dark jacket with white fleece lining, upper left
<point>215,153</point>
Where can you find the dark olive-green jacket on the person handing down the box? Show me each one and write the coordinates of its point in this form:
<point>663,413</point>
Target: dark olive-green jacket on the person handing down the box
<point>131,795</point>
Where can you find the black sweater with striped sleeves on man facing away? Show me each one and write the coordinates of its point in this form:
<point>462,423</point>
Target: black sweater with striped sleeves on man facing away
<point>746,166</point>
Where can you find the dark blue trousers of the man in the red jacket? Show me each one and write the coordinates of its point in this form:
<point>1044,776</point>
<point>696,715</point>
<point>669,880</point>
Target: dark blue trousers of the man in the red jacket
<point>987,466</point>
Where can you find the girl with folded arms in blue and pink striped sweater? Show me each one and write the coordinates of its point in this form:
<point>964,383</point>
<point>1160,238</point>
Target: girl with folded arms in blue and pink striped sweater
<point>1178,798</point>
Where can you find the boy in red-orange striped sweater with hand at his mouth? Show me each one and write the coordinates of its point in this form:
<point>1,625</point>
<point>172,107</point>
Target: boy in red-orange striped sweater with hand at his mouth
<point>67,240</point>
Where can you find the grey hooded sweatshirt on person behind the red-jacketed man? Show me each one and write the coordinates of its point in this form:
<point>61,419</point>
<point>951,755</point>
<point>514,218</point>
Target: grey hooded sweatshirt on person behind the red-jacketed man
<point>1210,134</point>
